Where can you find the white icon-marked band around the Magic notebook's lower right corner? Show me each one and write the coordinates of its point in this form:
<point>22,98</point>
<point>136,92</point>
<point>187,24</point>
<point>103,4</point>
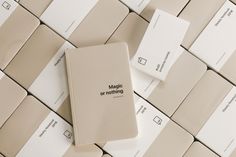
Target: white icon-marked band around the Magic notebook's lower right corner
<point>150,124</point>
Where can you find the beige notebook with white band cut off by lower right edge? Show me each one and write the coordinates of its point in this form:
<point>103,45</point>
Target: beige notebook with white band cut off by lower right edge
<point>209,112</point>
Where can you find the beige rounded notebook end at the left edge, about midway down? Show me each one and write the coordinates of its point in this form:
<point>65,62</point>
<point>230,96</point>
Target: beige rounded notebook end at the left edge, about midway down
<point>11,95</point>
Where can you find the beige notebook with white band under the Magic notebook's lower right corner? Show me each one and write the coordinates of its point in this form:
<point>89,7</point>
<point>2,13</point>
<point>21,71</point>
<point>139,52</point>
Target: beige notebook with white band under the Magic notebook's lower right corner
<point>157,136</point>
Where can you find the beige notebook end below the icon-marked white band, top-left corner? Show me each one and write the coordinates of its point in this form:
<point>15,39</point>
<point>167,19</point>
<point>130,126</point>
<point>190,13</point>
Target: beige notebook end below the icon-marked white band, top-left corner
<point>14,33</point>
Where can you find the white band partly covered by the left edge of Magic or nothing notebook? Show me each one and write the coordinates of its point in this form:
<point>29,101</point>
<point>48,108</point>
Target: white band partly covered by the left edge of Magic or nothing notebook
<point>51,85</point>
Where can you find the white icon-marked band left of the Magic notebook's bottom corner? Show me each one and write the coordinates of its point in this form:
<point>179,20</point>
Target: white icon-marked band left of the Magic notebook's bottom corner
<point>53,138</point>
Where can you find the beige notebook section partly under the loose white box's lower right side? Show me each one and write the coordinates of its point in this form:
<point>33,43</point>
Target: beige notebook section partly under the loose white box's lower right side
<point>168,95</point>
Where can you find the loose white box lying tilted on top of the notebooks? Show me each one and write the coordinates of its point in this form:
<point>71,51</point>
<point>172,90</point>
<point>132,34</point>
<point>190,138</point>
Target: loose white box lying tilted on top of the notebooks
<point>159,48</point>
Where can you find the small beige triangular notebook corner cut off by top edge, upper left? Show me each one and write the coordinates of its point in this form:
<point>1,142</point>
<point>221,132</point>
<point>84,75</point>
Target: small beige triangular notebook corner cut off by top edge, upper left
<point>37,7</point>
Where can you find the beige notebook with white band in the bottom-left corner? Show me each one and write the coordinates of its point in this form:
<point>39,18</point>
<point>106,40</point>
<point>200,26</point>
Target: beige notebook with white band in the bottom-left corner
<point>43,134</point>
